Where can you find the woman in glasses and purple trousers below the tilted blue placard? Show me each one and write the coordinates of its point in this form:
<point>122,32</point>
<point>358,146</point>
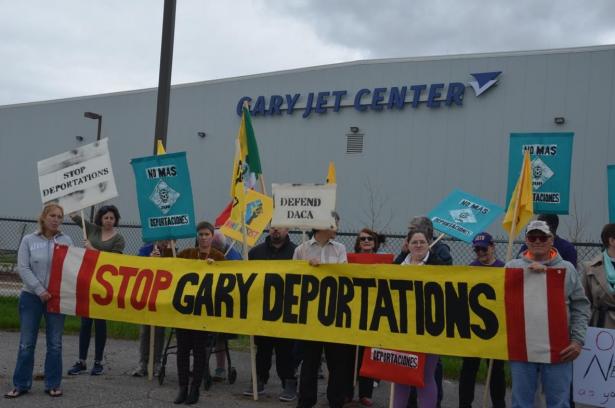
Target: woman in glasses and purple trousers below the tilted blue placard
<point>427,396</point>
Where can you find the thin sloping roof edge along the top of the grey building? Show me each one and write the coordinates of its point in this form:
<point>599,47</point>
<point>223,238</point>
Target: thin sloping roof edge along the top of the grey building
<point>496,54</point>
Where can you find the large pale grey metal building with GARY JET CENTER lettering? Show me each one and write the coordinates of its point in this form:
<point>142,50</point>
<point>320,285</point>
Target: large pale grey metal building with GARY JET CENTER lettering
<point>402,132</point>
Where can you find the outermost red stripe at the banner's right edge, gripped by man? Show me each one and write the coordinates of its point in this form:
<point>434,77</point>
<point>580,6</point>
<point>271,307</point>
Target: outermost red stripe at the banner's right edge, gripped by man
<point>558,317</point>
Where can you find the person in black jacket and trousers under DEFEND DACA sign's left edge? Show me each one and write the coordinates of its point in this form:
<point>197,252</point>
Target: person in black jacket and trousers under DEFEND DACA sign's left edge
<point>276,246</point>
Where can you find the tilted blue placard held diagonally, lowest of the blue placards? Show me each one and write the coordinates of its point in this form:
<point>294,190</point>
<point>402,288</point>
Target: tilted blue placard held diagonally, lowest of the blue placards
<point>463,216</point>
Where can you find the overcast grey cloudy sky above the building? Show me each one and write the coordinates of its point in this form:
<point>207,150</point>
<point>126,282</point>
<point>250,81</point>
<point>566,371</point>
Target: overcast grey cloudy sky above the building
<point>65,48</point>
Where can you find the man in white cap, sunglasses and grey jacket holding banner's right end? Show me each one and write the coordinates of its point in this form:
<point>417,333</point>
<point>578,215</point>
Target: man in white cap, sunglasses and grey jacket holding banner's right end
<point>556,377</point>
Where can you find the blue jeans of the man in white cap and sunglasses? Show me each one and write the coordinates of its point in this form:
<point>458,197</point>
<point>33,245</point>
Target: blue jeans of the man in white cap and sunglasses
<point>556,380</point>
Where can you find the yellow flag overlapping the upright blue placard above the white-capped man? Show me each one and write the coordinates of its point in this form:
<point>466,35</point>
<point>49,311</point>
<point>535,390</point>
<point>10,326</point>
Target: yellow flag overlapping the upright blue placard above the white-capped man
<point>521,206</point>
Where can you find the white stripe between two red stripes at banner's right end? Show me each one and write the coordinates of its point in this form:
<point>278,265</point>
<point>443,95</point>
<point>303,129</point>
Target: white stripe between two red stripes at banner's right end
<point>536,317</point>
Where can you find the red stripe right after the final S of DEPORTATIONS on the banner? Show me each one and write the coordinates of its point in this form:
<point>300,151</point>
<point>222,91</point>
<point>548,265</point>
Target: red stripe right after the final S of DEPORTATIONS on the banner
<point>515,314</point>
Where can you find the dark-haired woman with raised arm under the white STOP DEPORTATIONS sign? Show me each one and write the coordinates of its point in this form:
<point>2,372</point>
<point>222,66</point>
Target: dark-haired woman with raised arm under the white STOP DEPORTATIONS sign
<point>102,235</point>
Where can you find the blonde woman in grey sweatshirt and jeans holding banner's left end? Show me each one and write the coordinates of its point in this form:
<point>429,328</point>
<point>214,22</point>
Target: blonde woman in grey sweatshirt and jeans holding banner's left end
<point>34,263</point>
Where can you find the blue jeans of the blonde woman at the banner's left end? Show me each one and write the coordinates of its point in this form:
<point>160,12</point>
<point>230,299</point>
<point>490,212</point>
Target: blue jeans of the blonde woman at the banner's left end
<point>31,309</point>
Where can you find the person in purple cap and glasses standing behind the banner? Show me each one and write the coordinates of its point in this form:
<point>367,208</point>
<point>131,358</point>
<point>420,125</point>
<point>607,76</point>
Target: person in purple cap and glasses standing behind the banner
<point>484,248</point>
